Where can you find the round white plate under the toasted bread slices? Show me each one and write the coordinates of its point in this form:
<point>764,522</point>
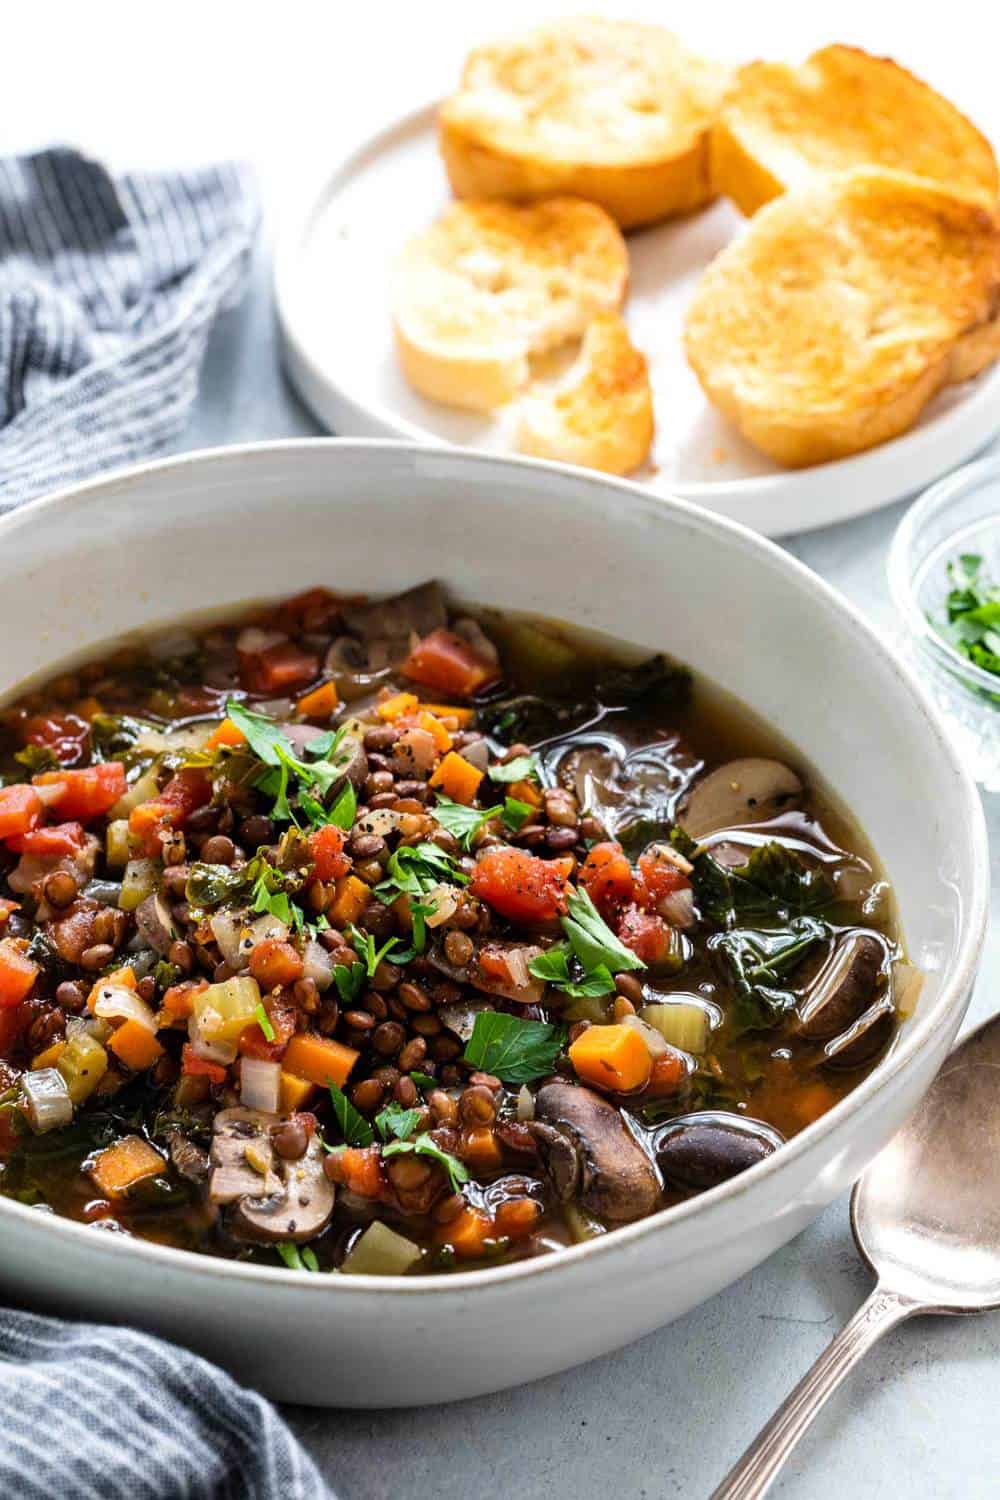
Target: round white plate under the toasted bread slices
<point>332,286</point>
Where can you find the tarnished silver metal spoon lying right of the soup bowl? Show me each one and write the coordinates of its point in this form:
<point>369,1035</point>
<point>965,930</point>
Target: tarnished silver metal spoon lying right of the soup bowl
<point>927,1220</point>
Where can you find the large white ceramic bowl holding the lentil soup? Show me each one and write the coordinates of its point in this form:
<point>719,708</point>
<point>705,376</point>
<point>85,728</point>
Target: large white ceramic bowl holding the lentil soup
<point>166,541</point>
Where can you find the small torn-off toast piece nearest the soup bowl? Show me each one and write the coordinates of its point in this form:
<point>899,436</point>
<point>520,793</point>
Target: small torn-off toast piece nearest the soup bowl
<point>602,416</point>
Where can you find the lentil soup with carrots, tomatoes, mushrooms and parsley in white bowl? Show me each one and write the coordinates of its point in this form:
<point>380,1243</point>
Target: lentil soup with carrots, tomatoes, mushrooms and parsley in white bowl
<point>397,938</point>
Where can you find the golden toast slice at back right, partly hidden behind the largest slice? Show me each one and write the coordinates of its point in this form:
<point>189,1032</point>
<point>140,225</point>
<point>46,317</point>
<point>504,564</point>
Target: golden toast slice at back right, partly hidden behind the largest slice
<point>842,109</point>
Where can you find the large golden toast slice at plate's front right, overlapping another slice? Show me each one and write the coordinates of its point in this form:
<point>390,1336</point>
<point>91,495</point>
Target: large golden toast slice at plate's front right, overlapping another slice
<point>843,308</point>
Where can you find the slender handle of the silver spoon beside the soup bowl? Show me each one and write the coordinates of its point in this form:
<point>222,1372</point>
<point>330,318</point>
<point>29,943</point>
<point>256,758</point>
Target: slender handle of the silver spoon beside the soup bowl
<point>758,1469</point>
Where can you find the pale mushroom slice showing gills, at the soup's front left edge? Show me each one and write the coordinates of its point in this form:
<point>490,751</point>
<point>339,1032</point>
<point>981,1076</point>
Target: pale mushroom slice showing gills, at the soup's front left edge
<point>272,1199</point>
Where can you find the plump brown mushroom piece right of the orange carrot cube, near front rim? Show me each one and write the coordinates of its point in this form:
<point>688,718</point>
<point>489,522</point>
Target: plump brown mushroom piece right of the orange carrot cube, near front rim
<point>590,1154</point>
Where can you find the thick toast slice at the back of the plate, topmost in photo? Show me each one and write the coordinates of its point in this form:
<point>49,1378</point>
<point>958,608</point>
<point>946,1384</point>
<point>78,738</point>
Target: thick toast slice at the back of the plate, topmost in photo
<point>605,110</point>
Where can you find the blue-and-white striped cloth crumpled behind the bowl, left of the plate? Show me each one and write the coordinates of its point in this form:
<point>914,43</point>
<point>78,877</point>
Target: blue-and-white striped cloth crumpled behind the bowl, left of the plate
<point>109,290</point>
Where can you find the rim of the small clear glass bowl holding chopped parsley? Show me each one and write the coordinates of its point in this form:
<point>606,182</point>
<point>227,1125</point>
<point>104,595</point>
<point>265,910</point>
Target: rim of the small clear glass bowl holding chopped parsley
<point>900,574</point>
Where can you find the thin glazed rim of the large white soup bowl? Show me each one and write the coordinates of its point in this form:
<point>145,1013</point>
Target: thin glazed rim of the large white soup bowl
<point>956,986</point>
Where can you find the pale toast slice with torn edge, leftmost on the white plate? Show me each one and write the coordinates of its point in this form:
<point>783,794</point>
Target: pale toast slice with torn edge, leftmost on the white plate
<point>491,284</point>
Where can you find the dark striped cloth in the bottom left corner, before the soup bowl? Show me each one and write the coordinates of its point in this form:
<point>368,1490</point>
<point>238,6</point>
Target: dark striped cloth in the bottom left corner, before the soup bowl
<point>106,1414</point>
